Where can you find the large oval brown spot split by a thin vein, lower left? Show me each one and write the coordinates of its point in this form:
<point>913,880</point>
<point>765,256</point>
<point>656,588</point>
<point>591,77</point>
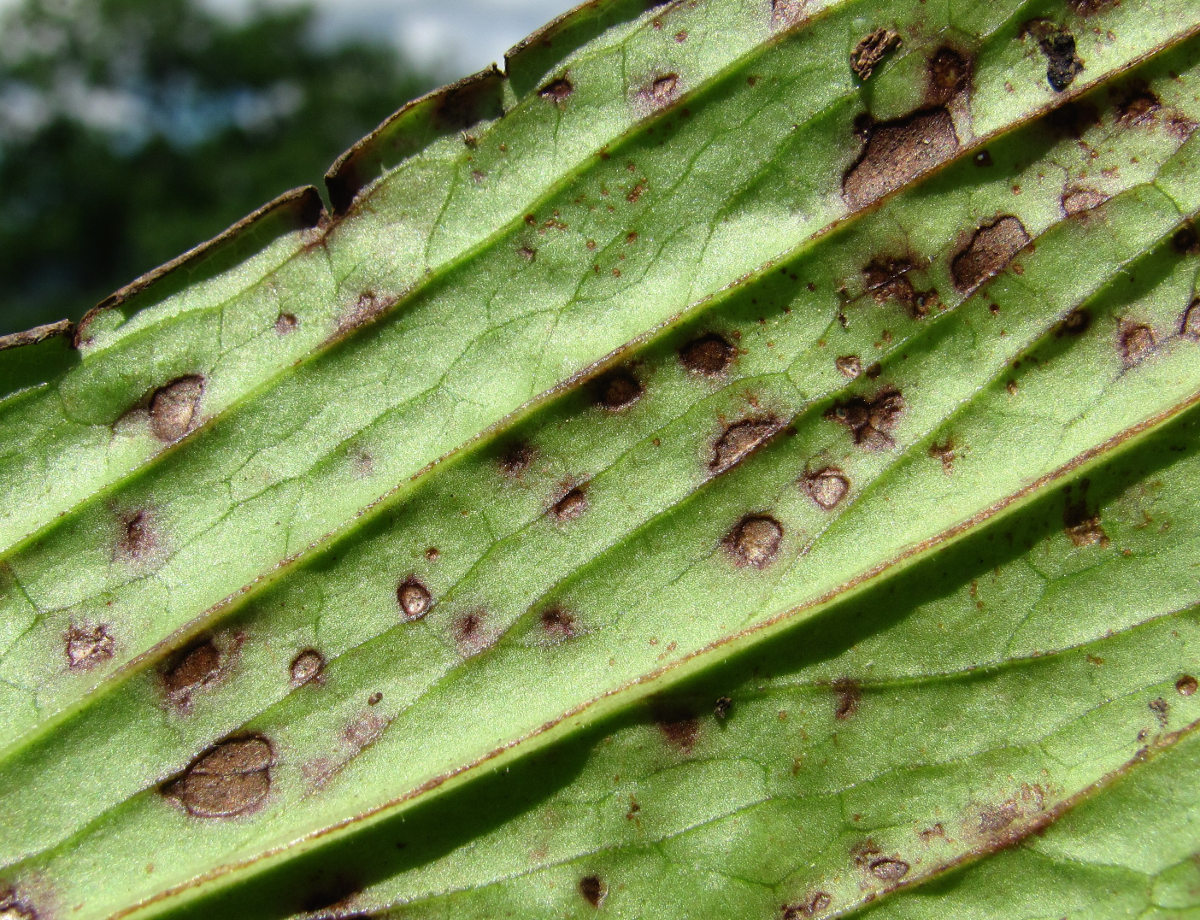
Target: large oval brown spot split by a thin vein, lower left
<point>232,778</point>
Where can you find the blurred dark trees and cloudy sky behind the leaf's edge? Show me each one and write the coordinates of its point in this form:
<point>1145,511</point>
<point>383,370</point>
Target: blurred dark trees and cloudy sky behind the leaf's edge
<point>133,130</point>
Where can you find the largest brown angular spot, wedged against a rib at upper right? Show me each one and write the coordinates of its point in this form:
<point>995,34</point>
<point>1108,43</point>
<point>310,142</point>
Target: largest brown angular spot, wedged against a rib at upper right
<point>898,152</point>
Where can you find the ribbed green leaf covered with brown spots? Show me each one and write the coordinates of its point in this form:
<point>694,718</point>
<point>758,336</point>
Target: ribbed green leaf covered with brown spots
<point>784,471</point>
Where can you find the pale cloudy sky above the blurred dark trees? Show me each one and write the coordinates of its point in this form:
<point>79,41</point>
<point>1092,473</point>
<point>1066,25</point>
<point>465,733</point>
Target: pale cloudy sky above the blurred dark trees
<point>453,37</point>
